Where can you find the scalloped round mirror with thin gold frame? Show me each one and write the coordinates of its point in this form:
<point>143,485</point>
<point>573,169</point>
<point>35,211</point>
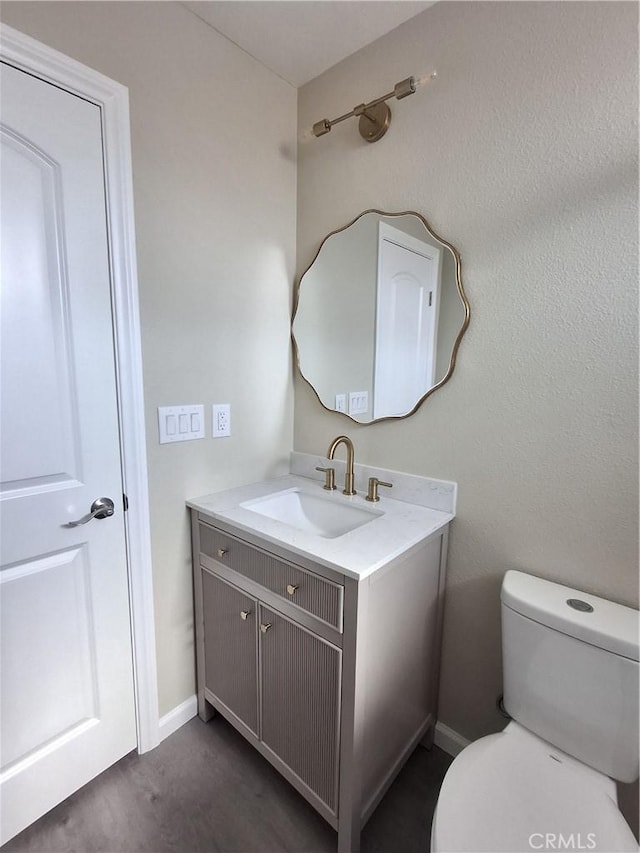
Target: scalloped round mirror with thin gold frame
<point>379,315</point>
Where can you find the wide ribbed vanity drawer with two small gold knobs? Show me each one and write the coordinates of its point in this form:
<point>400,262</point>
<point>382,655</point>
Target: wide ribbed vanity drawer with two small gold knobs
<point>310,592</point>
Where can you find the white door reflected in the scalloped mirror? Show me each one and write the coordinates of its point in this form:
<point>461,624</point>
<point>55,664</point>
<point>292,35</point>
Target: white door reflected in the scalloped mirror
<point>408,291</point>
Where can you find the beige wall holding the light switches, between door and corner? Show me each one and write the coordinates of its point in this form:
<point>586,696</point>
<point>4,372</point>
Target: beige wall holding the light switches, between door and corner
<point>215,219</point>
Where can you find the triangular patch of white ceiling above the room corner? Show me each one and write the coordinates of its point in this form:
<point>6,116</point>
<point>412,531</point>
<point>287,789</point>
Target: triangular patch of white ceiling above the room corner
<point>299,39</point>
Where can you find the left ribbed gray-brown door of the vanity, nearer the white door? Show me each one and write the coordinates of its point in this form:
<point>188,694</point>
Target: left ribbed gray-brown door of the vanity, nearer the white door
<point>231,648</point>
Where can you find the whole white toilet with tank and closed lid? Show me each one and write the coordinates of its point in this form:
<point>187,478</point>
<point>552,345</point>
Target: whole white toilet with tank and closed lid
<point>570,670</point>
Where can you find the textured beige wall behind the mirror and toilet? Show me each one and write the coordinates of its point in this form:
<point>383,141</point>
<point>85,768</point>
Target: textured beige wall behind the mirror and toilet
<point>523,154</point>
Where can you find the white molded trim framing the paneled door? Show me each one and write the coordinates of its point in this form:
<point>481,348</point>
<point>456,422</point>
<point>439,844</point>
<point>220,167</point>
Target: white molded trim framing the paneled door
<point>112,99</point>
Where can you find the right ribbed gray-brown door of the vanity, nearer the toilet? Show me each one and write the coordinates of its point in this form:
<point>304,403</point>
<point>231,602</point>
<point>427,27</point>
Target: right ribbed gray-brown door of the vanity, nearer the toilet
<point>300,695</point>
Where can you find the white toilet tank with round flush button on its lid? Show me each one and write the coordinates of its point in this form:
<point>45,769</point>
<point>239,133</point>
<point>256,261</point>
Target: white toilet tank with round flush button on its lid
<point>570,671</point>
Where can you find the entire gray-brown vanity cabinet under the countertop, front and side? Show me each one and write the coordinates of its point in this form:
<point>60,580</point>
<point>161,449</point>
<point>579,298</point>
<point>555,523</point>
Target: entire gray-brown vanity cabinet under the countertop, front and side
<point>332,678</point>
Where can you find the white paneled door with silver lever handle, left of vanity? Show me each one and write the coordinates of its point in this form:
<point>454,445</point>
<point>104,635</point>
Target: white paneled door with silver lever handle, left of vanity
<point>67,705</point>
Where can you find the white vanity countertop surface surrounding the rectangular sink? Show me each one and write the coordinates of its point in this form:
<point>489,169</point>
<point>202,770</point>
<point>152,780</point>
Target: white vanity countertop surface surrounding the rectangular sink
<point>358,553</point>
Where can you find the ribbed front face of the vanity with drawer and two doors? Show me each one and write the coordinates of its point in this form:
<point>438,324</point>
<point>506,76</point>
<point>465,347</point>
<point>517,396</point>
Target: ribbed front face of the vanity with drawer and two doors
<point>276,678</point>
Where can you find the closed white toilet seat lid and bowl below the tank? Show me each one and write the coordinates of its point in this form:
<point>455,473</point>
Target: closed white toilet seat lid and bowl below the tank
<point>514,792</point>
